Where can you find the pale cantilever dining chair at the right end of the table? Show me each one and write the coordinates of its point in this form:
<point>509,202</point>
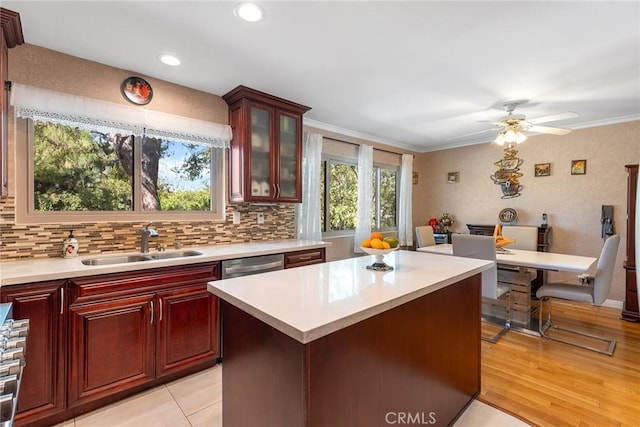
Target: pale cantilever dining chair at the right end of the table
<point>595,293</point>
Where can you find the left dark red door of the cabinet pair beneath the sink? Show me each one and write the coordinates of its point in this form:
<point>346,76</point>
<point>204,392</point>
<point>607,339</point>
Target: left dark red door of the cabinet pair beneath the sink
<point>111,347</point>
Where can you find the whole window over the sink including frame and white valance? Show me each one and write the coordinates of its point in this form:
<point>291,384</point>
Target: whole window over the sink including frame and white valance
<point>76,165</point>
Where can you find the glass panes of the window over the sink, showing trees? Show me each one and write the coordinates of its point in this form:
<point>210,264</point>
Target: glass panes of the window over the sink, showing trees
<point>79,170</point>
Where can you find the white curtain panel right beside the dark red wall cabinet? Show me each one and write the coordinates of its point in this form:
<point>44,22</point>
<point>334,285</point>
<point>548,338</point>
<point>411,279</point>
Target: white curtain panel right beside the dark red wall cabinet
<point>309,227</point>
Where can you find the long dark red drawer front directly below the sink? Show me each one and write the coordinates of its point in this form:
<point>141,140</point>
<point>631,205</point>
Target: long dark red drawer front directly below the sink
<point>92,288</point>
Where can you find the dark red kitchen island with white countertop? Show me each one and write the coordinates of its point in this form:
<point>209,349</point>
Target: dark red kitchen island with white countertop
<point>337,344</point>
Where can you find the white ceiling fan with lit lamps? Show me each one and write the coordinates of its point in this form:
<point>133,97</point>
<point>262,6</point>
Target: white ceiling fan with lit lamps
<point>512,127</point>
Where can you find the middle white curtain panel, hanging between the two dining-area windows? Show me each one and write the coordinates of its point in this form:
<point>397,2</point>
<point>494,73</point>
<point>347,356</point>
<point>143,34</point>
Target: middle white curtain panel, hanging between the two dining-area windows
<point>365,196</point>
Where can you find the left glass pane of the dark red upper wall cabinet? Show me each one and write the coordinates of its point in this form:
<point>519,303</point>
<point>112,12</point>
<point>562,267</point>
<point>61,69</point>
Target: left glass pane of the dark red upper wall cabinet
<point>261,177</point>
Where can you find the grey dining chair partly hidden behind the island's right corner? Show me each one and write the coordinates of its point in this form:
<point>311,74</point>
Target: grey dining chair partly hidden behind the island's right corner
<point>483,247</point>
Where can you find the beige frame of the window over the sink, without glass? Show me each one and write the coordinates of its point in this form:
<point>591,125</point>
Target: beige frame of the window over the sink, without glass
<point>26,214</point>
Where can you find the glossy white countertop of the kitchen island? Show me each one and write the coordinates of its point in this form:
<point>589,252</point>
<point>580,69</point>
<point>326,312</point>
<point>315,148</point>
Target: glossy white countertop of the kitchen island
<point>310,302</point>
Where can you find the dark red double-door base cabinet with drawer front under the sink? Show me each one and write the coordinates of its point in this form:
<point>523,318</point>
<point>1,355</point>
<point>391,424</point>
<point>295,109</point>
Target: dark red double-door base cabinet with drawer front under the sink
<point>127,330</point>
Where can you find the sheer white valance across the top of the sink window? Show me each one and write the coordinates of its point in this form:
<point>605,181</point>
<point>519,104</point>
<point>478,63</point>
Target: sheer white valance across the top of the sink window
<point>92,114</point>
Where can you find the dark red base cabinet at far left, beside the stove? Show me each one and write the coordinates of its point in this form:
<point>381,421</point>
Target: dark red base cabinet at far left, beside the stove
<point>42,390</point>
